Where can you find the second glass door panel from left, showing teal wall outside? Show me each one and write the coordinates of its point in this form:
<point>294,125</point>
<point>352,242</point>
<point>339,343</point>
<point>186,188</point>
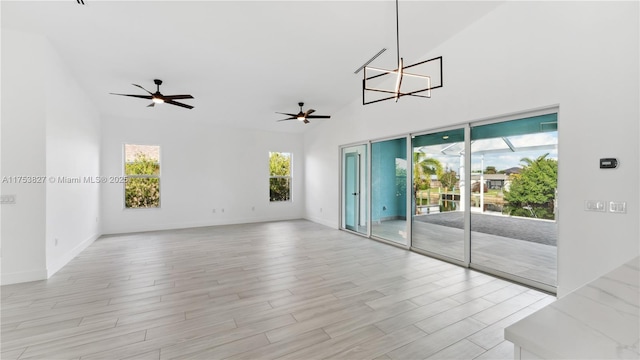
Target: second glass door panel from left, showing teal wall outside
<point>389,190</point>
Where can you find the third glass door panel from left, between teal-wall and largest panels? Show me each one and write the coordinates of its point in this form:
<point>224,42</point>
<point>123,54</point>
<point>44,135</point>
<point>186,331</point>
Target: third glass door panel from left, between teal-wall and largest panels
<point>438,193</point>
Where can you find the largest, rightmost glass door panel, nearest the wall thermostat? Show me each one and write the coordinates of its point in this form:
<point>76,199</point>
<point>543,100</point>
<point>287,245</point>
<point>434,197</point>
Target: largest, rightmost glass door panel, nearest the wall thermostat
<point>514,170</point>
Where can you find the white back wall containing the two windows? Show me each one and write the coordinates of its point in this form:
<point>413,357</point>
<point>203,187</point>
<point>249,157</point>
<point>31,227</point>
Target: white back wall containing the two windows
<point>203,167</point>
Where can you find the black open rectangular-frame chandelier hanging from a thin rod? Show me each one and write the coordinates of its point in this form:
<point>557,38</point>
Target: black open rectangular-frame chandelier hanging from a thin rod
<point>421,85</point>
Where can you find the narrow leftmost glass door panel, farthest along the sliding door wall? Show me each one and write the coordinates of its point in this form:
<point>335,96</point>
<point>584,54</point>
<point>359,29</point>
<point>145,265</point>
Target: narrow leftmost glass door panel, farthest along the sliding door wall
<point>354,187</point>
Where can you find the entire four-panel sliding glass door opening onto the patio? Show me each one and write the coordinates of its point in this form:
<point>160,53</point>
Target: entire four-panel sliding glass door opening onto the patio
<point>481,195</point>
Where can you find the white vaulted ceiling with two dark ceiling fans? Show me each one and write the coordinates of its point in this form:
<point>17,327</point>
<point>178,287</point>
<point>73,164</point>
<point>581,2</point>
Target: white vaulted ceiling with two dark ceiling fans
<point>241,60</point>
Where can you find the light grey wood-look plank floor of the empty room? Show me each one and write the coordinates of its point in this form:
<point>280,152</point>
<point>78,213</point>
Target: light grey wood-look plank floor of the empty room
<point>279,290</point>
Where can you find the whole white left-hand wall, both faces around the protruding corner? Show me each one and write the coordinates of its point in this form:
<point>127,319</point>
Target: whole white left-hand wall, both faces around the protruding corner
<point>49,129</point>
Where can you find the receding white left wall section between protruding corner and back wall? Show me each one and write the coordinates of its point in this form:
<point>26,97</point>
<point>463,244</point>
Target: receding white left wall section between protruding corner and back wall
<point>73,151</point>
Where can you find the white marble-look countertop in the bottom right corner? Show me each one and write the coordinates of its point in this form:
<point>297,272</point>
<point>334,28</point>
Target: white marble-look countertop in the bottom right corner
<point>598,321</point>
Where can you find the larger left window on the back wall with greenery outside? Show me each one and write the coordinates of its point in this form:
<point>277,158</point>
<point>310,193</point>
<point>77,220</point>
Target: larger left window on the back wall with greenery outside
<point>142,169</point>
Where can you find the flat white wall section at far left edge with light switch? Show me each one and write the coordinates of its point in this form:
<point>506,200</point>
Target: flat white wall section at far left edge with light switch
<point>23,154</point>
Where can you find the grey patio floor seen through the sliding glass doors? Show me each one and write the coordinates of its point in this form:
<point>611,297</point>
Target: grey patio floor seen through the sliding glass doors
<point>524,247</point>
